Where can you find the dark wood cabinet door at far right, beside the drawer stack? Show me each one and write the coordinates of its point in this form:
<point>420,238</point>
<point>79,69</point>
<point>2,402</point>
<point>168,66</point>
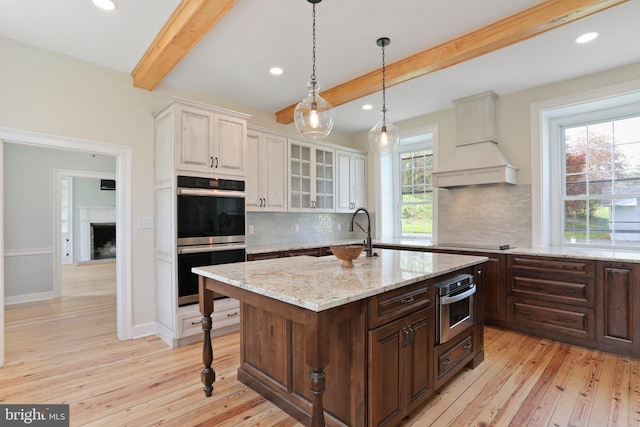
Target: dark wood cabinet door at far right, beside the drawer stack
<point>618,294</point>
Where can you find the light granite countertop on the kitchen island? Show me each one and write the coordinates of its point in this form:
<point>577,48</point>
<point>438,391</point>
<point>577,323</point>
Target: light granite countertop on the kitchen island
<point>322,283</point>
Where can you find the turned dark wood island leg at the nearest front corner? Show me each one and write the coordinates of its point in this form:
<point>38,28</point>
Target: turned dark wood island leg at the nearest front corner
<point>317,357</point>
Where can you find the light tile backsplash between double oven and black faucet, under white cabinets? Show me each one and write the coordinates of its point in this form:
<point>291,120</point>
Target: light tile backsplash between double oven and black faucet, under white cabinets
<point>275,228</point>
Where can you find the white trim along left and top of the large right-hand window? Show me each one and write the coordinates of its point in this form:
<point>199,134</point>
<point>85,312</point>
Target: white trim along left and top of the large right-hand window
<point>543,120</point>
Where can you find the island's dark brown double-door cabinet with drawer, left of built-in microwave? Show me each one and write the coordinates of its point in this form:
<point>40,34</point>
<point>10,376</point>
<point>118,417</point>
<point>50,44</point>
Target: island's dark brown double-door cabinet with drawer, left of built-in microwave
<point>400,349</point>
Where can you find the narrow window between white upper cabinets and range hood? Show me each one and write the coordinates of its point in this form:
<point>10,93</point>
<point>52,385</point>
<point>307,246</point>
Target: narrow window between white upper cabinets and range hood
<point>416,190</point>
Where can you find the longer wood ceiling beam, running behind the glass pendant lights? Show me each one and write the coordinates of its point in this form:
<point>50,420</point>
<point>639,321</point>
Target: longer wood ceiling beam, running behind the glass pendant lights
<point>523,25</point>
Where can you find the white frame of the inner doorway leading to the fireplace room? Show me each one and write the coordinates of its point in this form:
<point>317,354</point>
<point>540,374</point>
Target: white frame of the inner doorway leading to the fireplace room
<point>57,233</point>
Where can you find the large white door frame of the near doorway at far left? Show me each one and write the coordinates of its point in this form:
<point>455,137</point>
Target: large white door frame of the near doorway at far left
<point>123,174</point>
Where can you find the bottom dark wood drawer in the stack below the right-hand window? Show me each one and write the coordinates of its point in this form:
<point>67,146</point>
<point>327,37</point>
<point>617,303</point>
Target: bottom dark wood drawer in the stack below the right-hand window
<point>556,318</point>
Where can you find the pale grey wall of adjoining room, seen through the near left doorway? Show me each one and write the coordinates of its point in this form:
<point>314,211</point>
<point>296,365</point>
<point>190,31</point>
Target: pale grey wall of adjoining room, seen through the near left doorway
<point>29,214</point>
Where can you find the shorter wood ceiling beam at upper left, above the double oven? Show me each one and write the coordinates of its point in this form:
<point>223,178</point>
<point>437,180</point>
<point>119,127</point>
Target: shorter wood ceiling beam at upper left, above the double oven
<point>191,20</point>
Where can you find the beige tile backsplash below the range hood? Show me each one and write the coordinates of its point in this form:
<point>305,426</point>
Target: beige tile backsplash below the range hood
<point>485,215</point>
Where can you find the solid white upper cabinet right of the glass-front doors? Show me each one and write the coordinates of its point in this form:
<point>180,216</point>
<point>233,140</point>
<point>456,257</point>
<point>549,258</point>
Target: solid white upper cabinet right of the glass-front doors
<point>351,185</point>
